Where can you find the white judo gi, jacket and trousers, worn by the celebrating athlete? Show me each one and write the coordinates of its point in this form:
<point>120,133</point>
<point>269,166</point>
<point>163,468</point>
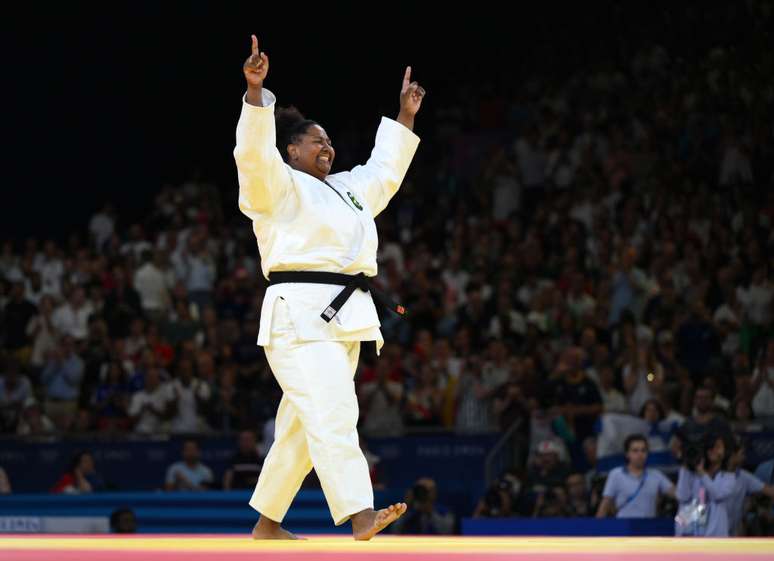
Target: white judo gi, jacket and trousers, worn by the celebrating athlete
<point>301,224</point>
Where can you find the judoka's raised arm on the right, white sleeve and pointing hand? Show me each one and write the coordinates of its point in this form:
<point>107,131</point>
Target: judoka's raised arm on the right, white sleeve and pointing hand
<point>379,179</point>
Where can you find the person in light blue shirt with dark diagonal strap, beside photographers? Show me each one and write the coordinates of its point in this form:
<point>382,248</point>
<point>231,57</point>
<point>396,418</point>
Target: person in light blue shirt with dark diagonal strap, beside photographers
<point>632,491</point>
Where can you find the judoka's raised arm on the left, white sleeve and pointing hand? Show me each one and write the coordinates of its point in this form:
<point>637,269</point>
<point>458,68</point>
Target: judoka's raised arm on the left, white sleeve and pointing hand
<point>264,179</point>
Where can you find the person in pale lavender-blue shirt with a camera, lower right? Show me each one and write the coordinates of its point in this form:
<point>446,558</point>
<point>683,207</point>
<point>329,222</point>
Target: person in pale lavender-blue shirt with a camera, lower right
<point>703,488</point>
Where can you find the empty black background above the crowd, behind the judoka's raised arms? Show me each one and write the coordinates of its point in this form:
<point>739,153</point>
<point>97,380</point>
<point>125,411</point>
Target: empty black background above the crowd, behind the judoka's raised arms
<point>110,101</point>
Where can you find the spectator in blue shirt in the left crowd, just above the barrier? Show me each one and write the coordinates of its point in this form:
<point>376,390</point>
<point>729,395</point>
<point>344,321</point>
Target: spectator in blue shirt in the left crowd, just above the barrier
<point>61,378</point>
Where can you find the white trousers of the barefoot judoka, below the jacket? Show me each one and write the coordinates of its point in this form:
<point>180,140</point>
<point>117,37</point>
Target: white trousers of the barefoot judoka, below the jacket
<point>316,424</point>
